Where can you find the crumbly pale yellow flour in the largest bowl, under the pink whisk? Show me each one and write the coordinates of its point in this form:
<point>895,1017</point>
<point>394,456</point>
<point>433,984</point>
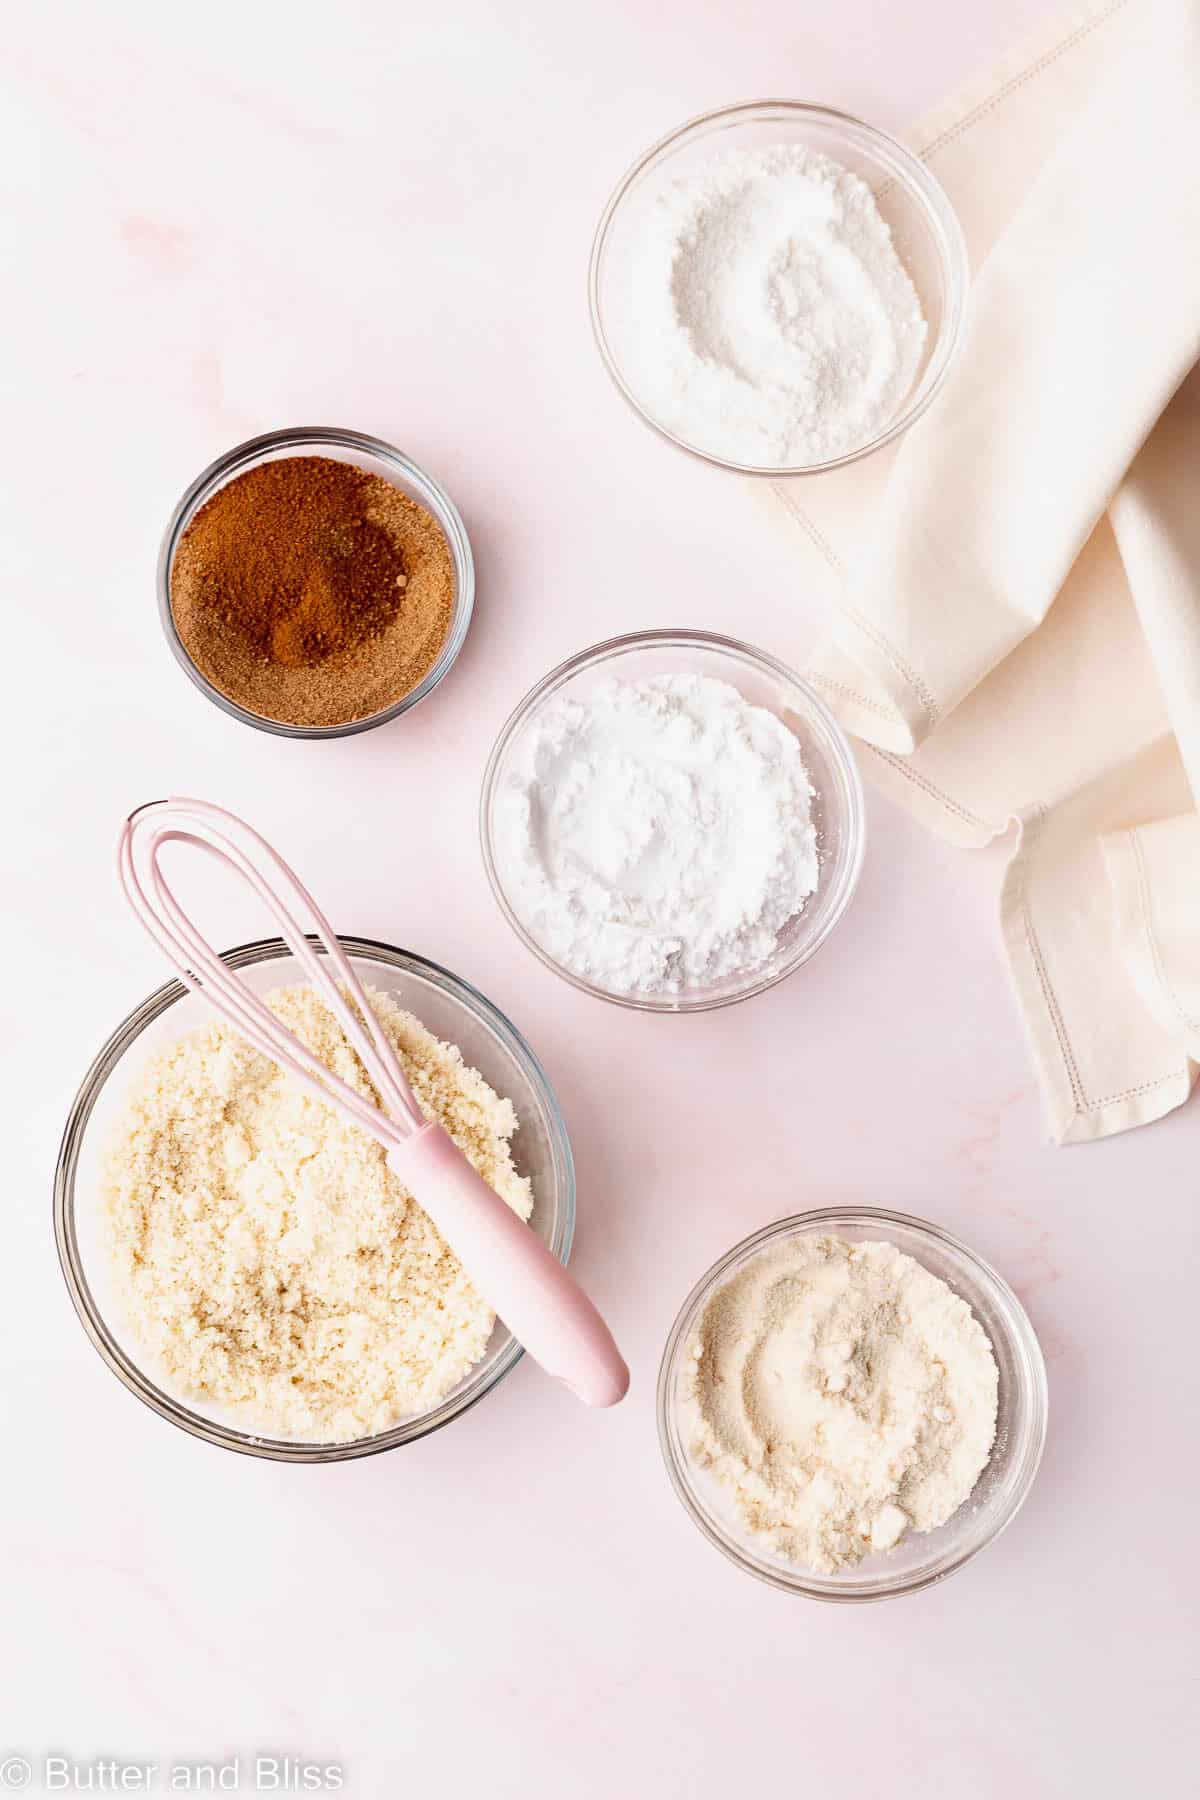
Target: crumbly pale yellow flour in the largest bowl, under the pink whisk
<point>265,1254</point>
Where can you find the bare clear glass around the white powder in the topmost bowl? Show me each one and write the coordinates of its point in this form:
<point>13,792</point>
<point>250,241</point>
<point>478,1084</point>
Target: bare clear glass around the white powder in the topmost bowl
<point>922,220</point>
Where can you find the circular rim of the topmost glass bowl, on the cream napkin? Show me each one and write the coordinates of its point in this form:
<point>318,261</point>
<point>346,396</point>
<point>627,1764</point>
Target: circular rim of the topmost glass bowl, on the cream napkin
<point>917,179</point>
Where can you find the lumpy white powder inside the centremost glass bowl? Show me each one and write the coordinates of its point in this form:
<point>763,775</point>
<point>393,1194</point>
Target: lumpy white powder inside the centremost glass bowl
<point>658,836</point>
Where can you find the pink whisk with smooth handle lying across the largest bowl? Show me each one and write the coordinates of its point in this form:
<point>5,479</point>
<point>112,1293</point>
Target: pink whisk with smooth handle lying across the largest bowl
<point>508,1263</point>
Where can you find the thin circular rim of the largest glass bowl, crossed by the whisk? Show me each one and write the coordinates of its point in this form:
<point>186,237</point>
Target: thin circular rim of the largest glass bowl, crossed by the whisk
<point>107,1063</point>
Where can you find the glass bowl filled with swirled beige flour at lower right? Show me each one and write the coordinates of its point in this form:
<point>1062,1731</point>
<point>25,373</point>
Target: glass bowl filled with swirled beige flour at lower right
<point>852,1405</point>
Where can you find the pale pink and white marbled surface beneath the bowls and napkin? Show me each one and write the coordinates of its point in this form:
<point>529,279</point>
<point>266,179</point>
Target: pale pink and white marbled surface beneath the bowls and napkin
<point>238,217</point>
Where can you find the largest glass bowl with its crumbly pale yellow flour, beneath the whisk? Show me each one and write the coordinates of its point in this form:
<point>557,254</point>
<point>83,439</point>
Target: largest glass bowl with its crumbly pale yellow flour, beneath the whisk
<point>242,1255</point>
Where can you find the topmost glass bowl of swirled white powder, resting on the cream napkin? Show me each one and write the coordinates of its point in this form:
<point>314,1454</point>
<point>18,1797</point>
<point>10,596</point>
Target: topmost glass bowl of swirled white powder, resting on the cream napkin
<point>778,289</point>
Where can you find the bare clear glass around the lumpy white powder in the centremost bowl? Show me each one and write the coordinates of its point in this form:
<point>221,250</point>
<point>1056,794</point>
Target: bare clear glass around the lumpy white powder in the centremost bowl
<point>837,805</point>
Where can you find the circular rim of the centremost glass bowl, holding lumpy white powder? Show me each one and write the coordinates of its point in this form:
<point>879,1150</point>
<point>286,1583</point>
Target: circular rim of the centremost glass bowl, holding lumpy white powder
<point>665,638</point>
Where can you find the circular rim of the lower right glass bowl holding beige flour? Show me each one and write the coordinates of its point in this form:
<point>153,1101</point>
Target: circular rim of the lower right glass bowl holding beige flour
<point>1032,1387</point>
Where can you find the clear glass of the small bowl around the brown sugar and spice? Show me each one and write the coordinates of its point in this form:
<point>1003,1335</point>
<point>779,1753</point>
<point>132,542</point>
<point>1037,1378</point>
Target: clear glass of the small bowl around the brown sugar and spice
<point>373,456</point>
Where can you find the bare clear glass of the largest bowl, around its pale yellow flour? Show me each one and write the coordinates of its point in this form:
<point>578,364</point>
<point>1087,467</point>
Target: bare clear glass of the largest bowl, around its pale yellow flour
<point>452,1011</point>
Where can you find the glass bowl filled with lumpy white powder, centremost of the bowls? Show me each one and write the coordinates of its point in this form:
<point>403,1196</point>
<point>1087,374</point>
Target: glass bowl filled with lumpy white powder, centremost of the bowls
<point>674,822</point>
